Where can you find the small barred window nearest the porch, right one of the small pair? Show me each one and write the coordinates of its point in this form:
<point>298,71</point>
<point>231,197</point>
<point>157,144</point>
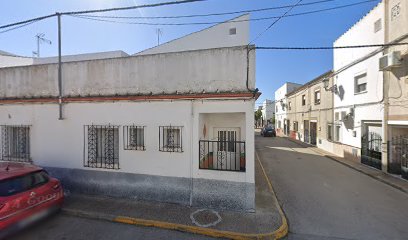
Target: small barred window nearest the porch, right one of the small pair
<point>170,139</point>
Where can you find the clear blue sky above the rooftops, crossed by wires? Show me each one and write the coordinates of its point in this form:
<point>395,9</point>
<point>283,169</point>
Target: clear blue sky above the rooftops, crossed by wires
<point>273,68</point>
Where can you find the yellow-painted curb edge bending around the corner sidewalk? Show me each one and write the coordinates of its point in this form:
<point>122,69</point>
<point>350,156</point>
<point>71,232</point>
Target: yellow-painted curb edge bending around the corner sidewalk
<point>279,233</point>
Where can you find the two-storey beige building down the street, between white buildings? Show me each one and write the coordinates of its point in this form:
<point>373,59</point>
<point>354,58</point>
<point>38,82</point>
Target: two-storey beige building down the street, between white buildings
<point>310,112</point>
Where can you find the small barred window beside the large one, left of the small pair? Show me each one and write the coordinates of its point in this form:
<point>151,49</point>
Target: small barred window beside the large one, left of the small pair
<point>133,137</point>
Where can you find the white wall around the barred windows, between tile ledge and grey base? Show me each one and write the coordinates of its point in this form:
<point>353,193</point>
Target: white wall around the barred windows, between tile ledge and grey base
<point>60,143</point>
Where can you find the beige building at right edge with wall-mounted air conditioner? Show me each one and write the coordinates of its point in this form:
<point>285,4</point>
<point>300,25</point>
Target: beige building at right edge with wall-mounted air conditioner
<point>395,73</point>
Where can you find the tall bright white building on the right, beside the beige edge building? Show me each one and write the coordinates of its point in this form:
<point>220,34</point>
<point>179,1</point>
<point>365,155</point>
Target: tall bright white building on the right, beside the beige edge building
<point>358,102</point>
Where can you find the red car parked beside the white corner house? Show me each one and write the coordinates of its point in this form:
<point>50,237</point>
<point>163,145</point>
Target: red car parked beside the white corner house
<point>27,194</point>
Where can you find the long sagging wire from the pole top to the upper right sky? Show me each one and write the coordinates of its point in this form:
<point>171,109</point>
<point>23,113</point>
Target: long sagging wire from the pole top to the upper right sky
<point>101,18</point>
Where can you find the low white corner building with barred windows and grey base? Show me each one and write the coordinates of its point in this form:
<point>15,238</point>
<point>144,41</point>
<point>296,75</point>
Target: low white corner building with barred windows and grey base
<point>156,126</point>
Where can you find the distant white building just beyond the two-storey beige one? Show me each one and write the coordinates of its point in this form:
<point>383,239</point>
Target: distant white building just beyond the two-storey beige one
<point>281,106</point>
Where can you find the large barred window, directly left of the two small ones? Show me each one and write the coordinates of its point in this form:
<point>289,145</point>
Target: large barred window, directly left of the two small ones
<point>101,146</point>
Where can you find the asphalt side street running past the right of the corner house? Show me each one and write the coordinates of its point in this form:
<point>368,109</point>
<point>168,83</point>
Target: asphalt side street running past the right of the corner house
<point>323,199</point>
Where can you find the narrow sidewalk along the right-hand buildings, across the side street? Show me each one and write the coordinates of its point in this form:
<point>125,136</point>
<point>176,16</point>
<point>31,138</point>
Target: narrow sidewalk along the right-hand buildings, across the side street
<point>388,179</point>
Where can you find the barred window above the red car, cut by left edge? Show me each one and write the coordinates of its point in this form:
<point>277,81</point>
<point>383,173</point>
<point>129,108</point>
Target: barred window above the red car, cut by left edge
<point>15,143</point>
